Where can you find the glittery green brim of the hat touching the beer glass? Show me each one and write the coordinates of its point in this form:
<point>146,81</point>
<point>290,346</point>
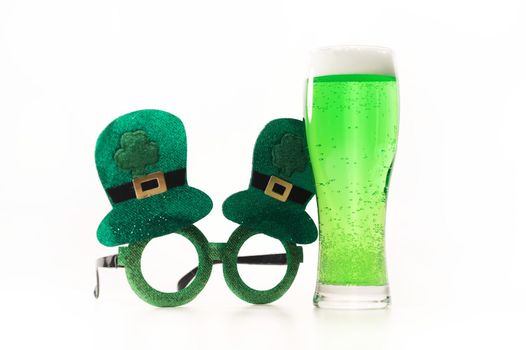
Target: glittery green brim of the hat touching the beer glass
<point>282,220</point>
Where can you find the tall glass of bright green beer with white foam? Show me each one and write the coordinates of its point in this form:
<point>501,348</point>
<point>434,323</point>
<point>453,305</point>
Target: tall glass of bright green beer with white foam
<point>352,129</point>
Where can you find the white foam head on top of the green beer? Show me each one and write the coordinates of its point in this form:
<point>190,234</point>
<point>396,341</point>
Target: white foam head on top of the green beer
<point>335,60</point>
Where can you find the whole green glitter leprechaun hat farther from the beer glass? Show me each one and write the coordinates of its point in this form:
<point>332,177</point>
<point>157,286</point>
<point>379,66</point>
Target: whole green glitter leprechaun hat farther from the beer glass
<point>141,161</point>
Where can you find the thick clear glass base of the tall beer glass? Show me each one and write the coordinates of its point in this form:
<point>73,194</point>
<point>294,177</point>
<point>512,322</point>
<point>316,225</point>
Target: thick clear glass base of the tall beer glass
<point>351,297</point>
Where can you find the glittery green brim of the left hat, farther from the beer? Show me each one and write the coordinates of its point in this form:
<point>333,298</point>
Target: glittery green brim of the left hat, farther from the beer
<point>143,219</point>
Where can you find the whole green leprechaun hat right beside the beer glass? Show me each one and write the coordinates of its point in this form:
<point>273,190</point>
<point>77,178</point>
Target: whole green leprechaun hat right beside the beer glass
<point>280,187</point>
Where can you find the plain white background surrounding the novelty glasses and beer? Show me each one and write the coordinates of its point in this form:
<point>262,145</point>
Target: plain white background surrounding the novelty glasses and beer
<point>455,228</point>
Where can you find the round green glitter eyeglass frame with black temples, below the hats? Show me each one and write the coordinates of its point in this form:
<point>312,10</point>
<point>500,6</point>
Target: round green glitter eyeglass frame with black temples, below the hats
<point>209,253</point>
